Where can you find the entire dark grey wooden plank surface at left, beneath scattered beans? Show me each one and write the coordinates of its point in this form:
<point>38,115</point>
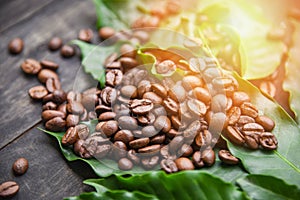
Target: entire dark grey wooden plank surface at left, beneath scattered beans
<point>36,21</point>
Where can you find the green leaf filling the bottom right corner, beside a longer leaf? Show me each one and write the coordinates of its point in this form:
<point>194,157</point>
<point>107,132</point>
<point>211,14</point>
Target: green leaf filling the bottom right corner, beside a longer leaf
<point>267,187</point>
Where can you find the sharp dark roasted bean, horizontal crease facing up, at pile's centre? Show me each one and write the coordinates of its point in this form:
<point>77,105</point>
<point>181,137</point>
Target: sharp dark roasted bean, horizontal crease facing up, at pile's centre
<point>140,106</point>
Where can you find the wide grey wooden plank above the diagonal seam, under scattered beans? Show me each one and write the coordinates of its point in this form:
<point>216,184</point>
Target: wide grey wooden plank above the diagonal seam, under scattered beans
<point>60,18</point>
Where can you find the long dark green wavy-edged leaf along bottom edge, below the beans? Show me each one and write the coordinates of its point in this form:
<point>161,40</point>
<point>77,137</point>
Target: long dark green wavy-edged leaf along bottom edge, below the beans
<point>183,185</point>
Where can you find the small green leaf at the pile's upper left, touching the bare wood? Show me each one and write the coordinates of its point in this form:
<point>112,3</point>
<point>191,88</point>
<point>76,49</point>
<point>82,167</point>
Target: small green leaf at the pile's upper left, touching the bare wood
<point>94,56</point>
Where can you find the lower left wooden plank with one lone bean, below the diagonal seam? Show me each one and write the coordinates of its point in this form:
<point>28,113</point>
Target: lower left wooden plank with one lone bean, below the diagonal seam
<point>49,176</point>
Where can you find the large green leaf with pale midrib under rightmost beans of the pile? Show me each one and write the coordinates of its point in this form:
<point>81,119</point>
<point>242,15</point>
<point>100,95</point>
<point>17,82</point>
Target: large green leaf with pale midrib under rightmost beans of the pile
<point>282,163</point>
